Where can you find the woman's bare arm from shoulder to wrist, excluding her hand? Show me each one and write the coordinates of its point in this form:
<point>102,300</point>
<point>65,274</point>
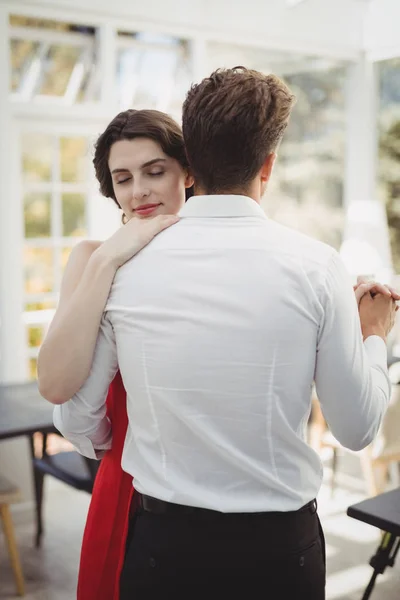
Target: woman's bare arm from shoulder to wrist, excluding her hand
<point>67,351</point>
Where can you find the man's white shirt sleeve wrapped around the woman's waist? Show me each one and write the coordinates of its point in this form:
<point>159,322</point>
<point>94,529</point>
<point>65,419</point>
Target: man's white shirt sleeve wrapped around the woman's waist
<point>83,419</point>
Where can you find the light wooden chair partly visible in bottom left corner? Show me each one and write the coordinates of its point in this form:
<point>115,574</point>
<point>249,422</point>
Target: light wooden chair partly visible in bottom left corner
<point>9,494</point>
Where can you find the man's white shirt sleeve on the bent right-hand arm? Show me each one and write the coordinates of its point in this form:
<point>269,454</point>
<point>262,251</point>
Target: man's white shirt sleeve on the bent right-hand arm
<point>351,377</point>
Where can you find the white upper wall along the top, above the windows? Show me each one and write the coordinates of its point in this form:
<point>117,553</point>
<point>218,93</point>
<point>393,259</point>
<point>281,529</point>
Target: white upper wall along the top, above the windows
<point>323,27</point>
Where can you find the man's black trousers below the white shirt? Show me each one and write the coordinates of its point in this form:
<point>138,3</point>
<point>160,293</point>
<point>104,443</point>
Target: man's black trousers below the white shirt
<point>211,555</point>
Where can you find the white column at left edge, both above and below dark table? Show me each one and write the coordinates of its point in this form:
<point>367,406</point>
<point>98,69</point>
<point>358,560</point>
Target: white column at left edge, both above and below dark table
<point>14,454</point>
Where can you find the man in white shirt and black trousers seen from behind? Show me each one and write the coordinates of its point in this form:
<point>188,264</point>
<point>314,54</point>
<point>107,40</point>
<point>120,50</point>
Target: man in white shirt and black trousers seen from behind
<point>221,325</point>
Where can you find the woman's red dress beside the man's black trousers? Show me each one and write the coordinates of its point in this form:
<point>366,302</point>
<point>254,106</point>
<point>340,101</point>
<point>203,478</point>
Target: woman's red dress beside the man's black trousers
<point>103,545</point>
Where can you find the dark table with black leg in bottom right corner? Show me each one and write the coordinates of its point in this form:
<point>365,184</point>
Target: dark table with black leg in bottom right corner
<point>382,511</point>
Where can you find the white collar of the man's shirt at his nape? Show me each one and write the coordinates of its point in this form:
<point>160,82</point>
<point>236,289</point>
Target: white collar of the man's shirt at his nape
<point>222,205</point>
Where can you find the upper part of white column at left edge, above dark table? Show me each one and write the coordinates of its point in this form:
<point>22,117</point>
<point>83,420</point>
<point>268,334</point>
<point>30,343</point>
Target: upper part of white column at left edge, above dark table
<point>13,357</point>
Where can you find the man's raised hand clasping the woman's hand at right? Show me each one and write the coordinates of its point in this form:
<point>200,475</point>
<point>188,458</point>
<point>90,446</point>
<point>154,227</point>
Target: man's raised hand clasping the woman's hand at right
<point>377,315</point>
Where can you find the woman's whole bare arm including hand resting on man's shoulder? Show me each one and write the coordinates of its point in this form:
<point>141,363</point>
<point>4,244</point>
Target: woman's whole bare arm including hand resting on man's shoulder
<point>66,354</point>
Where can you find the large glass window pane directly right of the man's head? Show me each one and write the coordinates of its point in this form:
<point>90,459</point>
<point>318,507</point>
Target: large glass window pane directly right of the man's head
<point>306,191</point>
